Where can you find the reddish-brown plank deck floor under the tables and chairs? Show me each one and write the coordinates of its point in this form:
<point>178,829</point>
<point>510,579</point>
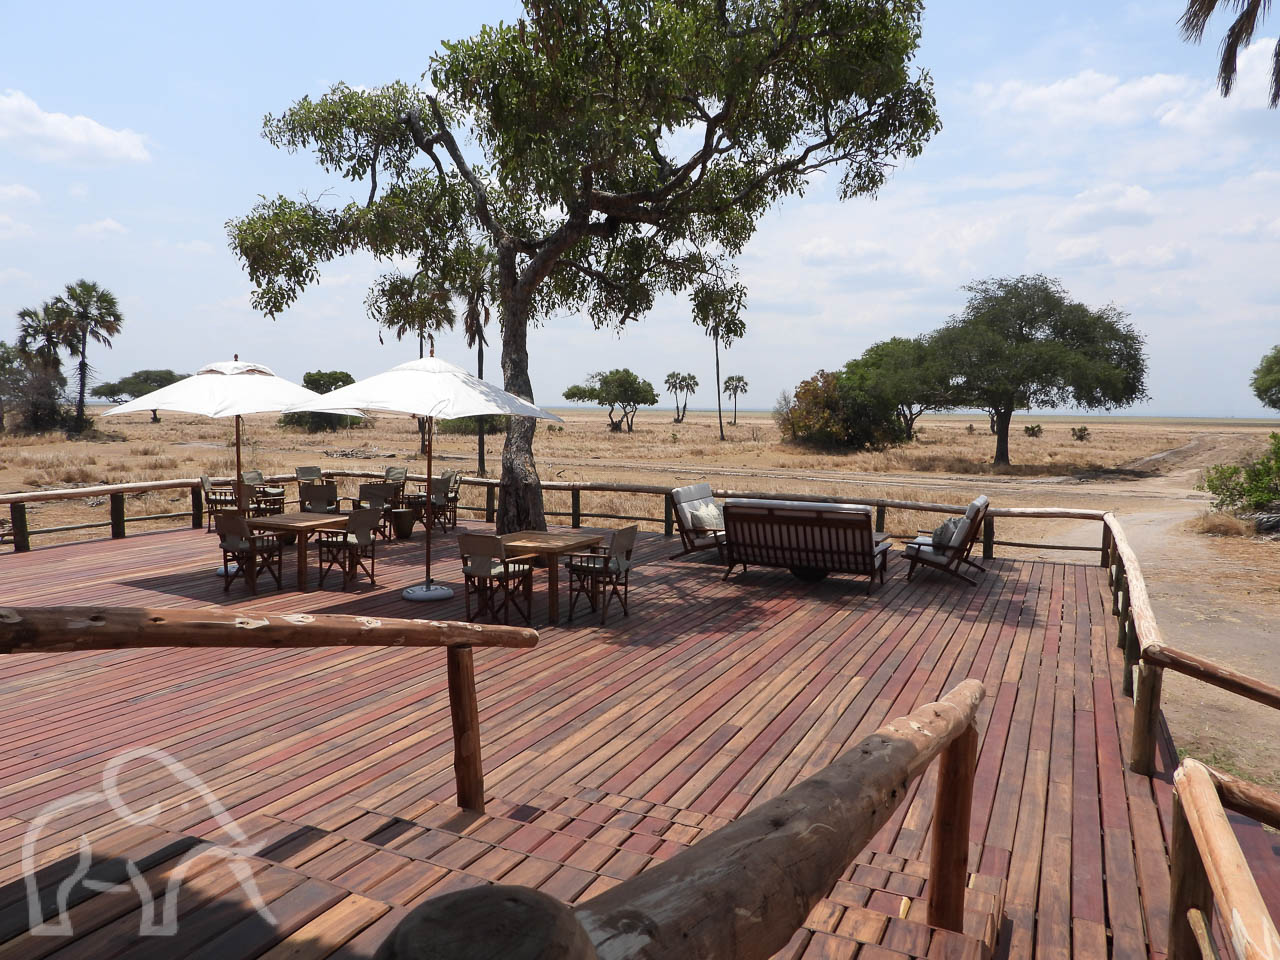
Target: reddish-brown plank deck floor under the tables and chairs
<point>605,748</point>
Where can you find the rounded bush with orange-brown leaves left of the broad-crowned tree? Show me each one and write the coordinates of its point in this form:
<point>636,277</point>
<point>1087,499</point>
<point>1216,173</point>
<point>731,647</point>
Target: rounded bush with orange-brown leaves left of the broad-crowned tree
<point>835,412</point>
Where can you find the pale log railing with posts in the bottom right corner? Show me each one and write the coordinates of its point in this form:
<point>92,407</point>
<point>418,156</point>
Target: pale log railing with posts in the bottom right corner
<point>1209,872</point>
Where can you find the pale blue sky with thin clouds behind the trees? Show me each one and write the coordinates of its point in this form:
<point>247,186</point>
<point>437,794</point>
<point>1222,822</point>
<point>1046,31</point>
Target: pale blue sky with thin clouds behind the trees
<point>1086,143</point>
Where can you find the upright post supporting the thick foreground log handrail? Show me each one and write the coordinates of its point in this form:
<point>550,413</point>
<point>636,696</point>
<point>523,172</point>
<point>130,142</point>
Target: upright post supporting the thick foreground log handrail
<point>949,861</point>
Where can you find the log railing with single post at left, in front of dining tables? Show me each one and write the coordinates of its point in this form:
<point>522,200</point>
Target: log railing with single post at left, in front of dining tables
<point>76,629</point>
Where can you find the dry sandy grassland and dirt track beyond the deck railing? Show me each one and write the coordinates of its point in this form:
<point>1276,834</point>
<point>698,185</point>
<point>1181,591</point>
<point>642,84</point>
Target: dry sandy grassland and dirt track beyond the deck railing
<point>1218,597</point>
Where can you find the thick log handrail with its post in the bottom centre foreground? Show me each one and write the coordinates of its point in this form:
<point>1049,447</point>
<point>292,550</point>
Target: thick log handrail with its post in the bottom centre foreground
<point>743,892</point>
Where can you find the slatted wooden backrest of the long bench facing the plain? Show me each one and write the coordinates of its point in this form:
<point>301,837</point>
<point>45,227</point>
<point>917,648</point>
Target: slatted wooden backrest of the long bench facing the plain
<point>833,537</point>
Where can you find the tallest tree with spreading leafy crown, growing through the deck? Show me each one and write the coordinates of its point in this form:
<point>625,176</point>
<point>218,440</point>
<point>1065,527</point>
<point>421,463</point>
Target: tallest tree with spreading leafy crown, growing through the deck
<point>619,149</point>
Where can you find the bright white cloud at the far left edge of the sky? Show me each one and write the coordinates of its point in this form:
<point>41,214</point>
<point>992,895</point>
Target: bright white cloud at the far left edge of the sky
<point>63,139</point>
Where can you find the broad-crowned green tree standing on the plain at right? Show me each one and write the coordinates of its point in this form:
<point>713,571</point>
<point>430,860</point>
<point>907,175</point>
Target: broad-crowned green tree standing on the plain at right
<point>1022,342</point>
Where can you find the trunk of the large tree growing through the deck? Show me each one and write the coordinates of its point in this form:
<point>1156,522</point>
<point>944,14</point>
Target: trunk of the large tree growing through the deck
<point>520,492</point>
